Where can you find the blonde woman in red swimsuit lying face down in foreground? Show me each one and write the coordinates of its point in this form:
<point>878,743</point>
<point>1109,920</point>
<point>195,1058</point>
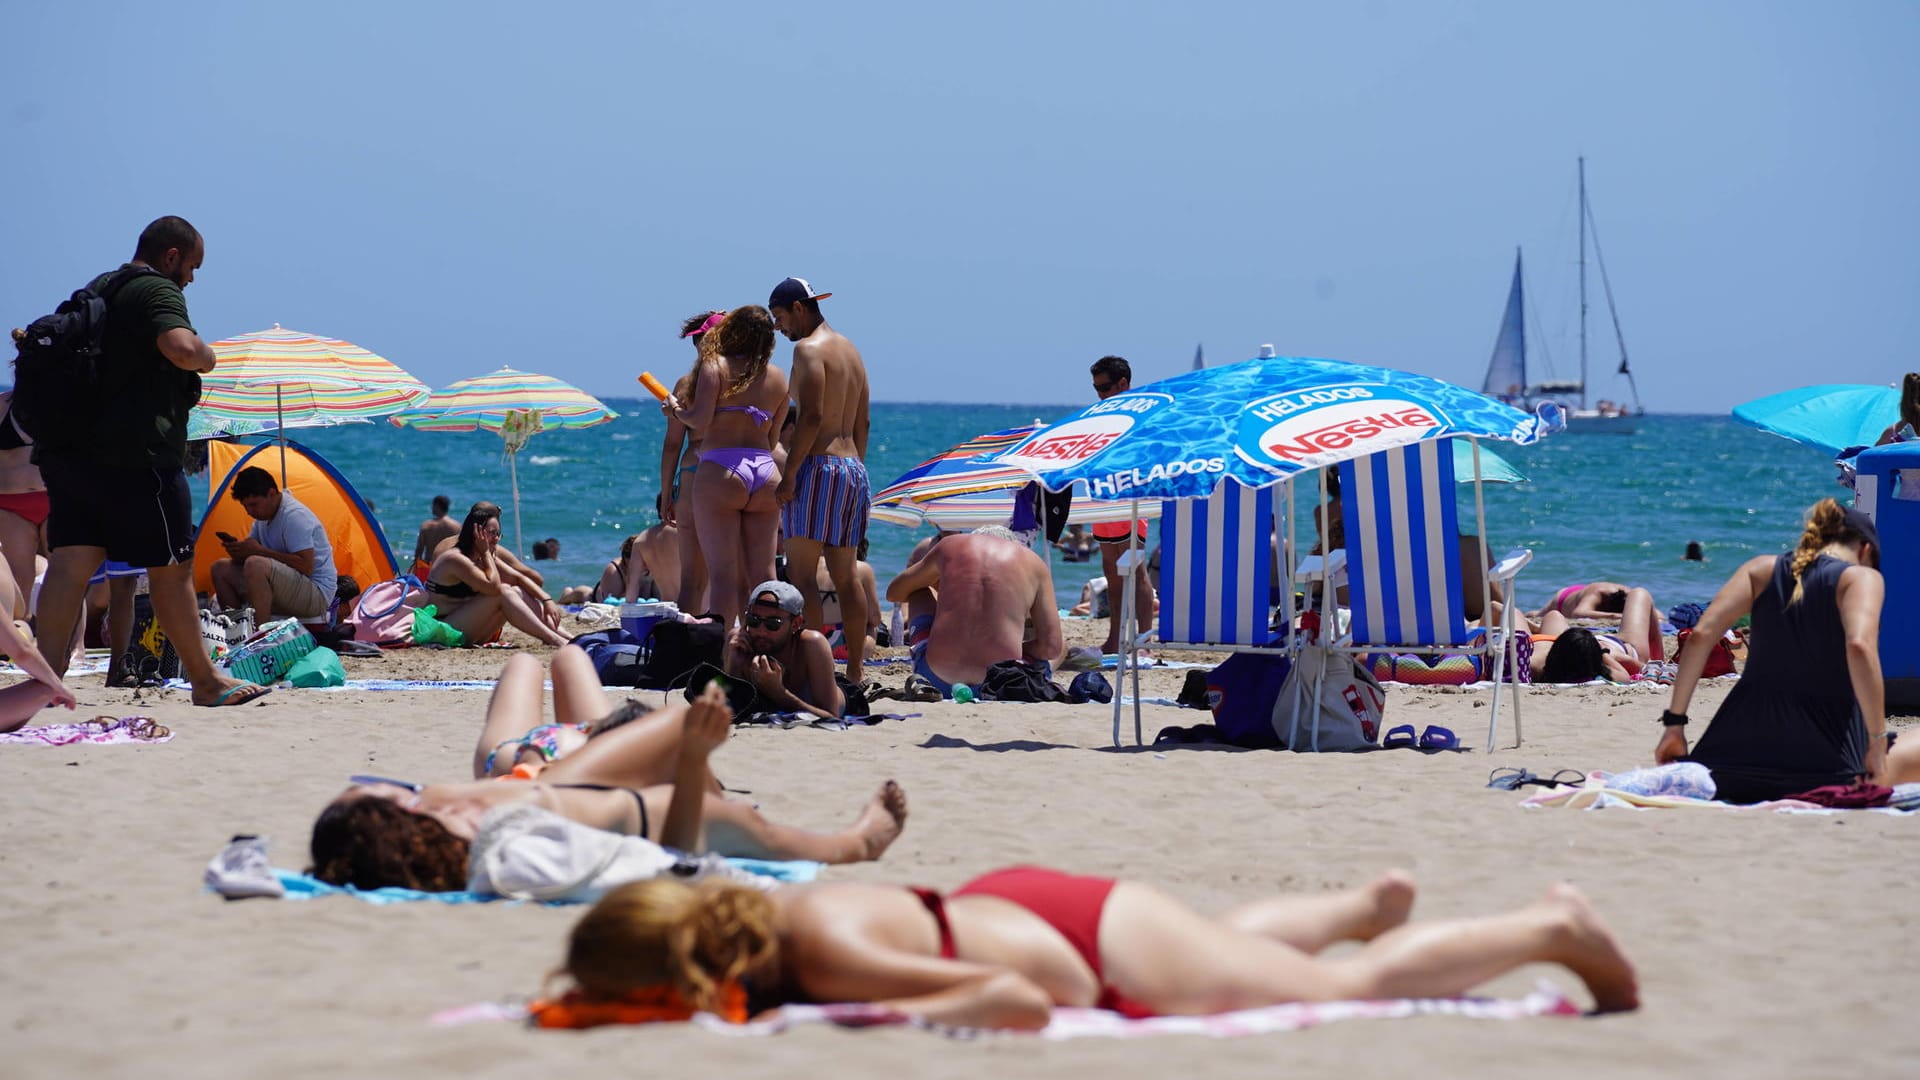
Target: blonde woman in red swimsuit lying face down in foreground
<point>1003,950</point>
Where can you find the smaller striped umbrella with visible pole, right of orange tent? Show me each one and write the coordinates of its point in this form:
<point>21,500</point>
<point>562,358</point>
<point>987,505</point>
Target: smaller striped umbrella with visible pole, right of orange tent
<point>514,405</point>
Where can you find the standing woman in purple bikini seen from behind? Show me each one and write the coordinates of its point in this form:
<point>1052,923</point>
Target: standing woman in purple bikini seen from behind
<point>736,412</point>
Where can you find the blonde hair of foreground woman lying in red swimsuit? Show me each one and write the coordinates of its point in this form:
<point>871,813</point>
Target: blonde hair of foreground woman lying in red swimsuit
<point>698,939</point>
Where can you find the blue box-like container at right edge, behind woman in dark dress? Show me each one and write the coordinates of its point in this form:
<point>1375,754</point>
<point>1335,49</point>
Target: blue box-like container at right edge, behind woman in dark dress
<point>1888,489</point>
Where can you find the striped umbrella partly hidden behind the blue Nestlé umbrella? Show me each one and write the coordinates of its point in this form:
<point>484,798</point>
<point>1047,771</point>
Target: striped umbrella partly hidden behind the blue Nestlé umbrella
<point>955,491</point>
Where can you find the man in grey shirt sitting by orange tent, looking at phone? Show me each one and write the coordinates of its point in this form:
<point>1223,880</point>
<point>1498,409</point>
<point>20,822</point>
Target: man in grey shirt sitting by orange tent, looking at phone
<point>285,568</point>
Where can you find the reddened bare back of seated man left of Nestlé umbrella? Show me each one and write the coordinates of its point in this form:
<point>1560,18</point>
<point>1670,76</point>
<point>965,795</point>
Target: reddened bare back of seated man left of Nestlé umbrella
<point>988,593</point>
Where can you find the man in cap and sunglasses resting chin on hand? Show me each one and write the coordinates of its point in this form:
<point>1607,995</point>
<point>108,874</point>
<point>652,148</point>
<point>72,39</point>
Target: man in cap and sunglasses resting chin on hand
<point>790,668</point>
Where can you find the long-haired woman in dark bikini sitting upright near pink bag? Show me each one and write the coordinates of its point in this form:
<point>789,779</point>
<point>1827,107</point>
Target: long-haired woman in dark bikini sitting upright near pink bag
<point>477,593</point>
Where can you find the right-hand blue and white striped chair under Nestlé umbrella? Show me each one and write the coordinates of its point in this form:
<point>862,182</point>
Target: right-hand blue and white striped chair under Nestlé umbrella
<point>1404,568</point>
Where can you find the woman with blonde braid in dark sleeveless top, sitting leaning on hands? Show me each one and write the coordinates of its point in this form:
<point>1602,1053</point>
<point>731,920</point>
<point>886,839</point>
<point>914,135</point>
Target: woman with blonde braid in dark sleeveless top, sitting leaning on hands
<point>1810,708</point>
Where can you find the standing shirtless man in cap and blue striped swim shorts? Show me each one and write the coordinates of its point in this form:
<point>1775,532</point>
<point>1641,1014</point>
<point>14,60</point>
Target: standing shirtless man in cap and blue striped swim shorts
<point>823,489</point>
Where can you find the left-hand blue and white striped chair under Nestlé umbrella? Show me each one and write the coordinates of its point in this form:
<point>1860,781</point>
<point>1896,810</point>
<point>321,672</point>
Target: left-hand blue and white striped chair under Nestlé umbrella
<point>1216,581</point>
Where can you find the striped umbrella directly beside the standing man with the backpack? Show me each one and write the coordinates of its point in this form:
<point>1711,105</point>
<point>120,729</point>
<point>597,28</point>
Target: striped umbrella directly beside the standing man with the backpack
<point>279,380</point>
